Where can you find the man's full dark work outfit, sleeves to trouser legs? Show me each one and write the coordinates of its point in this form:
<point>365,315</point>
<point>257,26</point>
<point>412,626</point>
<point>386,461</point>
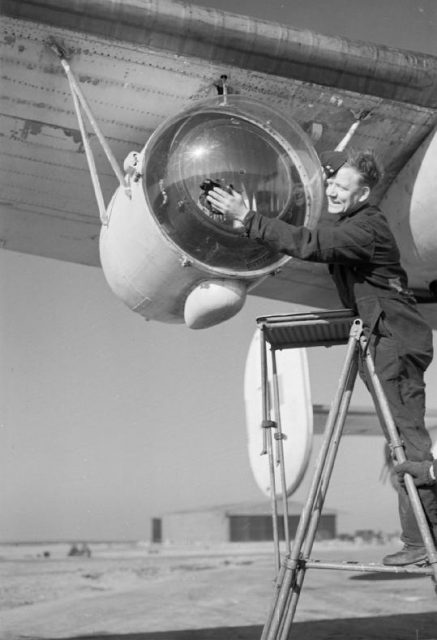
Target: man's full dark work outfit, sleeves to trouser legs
<point>364,262</point>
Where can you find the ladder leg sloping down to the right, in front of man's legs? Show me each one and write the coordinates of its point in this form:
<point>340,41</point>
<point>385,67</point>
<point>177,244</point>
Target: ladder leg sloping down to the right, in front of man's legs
<point>385,415</point>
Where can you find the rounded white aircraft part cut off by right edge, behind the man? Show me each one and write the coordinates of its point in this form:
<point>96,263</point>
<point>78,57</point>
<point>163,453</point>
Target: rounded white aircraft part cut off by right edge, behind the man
<point>410,205</point>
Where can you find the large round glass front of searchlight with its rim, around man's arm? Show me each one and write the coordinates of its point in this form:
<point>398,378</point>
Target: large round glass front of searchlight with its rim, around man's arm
<point>243,145</point>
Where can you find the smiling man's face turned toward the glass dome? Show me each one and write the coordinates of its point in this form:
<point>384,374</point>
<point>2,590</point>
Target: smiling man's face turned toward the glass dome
<point>345,191</point>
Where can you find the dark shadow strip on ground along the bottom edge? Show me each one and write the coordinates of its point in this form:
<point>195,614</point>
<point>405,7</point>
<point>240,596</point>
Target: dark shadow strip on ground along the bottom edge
<point>421,626</point>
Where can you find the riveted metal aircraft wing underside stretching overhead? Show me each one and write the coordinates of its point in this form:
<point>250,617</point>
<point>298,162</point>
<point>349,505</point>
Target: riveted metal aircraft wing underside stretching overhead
<point>139,62</point>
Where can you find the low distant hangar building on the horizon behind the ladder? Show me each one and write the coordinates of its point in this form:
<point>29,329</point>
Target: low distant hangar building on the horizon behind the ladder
<point>245,522</point>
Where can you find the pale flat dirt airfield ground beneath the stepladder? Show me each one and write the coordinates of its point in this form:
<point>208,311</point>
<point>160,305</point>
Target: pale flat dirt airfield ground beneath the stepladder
<point>134,592</point>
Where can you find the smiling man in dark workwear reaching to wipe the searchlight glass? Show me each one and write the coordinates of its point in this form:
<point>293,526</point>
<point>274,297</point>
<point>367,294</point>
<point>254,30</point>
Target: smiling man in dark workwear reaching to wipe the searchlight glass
<point>364,261</point>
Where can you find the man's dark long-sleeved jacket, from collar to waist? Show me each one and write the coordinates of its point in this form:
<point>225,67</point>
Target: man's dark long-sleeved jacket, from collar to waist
<point>364,262</point>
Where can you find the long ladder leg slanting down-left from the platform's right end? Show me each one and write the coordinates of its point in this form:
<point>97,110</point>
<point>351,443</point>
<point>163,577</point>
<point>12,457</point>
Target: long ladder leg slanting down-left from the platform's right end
<point>292,572</point>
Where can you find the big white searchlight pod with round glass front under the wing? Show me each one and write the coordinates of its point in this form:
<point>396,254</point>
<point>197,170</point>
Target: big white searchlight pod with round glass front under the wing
<point>164,241</point>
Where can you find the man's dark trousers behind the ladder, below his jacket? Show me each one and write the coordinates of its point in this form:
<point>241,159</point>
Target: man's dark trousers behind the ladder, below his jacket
<point>400,365</point>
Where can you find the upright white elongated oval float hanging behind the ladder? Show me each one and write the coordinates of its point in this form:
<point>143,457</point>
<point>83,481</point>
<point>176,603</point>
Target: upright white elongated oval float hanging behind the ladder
<point>296,416</point>
